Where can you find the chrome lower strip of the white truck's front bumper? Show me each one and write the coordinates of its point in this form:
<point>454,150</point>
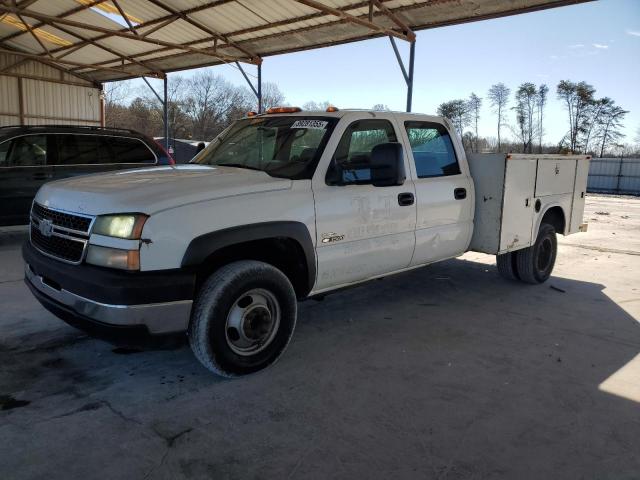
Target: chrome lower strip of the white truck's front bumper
<point>159,318</point>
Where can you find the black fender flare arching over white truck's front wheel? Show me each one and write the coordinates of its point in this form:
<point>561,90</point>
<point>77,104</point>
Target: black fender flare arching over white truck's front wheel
<point>202,247</point>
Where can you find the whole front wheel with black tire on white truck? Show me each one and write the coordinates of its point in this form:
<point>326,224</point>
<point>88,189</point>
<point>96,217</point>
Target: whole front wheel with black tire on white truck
<point>243,318</point>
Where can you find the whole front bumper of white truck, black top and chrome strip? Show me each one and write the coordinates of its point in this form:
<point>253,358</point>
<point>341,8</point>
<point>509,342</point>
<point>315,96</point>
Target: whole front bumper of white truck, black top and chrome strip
<point>92,298</point>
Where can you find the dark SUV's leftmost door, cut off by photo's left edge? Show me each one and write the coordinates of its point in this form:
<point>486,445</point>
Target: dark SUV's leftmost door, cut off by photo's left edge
<point>23,169</point>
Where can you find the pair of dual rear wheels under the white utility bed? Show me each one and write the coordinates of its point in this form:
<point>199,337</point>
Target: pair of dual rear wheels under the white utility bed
<point>533,264</point>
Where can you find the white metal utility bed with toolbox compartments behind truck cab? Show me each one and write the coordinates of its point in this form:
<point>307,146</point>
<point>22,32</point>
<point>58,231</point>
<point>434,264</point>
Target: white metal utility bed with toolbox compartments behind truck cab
<point>513,190</point>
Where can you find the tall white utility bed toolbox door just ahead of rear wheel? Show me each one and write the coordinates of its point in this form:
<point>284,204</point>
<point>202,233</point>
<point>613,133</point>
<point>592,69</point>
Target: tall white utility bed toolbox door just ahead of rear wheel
<point>517,210</point>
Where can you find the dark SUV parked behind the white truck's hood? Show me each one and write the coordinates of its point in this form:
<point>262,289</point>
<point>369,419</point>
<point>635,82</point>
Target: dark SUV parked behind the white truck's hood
<point>33,155</point>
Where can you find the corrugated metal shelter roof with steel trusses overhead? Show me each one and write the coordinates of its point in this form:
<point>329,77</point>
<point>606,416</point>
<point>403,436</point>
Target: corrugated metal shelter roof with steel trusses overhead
<point>117,39</point>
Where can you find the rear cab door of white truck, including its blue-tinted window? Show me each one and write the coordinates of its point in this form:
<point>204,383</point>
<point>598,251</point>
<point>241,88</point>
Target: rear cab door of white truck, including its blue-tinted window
<point>444,193</point>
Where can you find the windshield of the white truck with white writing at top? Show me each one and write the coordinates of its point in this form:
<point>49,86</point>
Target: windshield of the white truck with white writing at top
<point>288,147</point>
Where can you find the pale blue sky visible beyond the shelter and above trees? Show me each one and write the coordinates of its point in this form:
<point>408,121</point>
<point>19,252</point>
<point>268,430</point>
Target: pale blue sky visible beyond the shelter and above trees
<point>597,42</point>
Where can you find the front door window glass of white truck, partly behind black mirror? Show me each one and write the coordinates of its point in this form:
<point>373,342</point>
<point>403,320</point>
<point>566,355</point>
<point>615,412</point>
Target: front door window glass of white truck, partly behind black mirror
<point>351,164</point>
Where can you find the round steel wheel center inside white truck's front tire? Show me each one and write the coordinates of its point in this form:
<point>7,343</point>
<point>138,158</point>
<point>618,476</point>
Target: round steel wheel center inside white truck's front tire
<point>252,322</point>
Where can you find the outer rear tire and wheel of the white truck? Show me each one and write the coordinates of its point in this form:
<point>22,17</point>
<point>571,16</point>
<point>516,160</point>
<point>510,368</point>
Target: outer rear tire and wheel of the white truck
<point>535,264</point>
